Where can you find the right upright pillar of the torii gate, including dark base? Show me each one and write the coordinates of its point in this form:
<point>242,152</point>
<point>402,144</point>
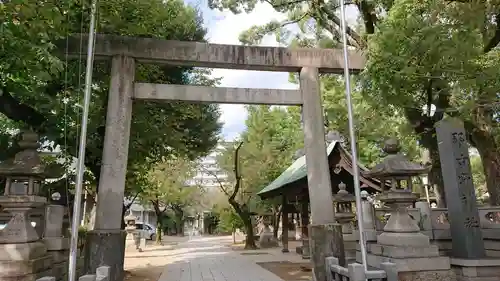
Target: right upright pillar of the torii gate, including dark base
<point>323,231</point>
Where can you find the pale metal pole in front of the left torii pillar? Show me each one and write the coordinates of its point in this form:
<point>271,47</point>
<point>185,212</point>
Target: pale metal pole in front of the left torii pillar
<point>81,150</point>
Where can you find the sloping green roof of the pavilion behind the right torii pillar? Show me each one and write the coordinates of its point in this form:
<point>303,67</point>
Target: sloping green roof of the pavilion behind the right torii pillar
<point>296,171</point>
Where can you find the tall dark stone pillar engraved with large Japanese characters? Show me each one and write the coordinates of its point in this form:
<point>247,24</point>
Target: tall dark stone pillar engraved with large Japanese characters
<point>468,251</point>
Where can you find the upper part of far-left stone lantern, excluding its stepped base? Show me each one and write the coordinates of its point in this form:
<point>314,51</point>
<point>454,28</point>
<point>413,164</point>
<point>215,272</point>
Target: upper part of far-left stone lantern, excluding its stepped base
<point>24,175</point>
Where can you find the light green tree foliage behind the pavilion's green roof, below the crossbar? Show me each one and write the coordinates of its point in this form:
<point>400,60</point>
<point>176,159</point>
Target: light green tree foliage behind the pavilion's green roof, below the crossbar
<point>270,140</point>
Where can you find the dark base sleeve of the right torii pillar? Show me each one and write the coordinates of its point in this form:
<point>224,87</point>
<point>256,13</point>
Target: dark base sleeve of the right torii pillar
<point>325,241</point>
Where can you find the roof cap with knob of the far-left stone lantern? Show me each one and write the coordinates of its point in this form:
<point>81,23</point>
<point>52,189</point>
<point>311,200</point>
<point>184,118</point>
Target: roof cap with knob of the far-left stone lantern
<point>27,161</point>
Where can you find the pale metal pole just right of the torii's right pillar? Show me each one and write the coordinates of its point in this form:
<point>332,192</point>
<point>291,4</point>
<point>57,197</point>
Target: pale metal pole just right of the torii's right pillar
<point>352,134</point>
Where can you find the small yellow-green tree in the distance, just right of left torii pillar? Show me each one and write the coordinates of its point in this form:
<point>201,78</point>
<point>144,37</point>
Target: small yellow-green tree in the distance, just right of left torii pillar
<point>168,189</point>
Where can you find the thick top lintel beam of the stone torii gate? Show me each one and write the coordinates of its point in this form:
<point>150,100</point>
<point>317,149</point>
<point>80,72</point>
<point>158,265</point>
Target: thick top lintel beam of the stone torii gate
<point>199,54</point>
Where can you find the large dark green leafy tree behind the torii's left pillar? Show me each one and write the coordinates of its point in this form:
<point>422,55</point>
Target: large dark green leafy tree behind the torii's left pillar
<point>43,91</point>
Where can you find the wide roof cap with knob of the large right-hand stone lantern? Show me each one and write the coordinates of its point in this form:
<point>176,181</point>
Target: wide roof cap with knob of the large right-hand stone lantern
<point>396,164</point>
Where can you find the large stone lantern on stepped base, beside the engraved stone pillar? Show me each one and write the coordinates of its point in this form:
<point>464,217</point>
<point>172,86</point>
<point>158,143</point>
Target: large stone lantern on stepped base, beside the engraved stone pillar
<point>401,241</point>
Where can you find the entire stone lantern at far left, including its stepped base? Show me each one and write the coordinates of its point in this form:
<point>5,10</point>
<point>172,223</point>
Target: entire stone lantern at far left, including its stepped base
<point>23,256</point>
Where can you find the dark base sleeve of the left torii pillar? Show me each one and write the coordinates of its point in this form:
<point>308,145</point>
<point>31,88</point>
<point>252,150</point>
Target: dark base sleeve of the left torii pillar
<point>105,248</point>
